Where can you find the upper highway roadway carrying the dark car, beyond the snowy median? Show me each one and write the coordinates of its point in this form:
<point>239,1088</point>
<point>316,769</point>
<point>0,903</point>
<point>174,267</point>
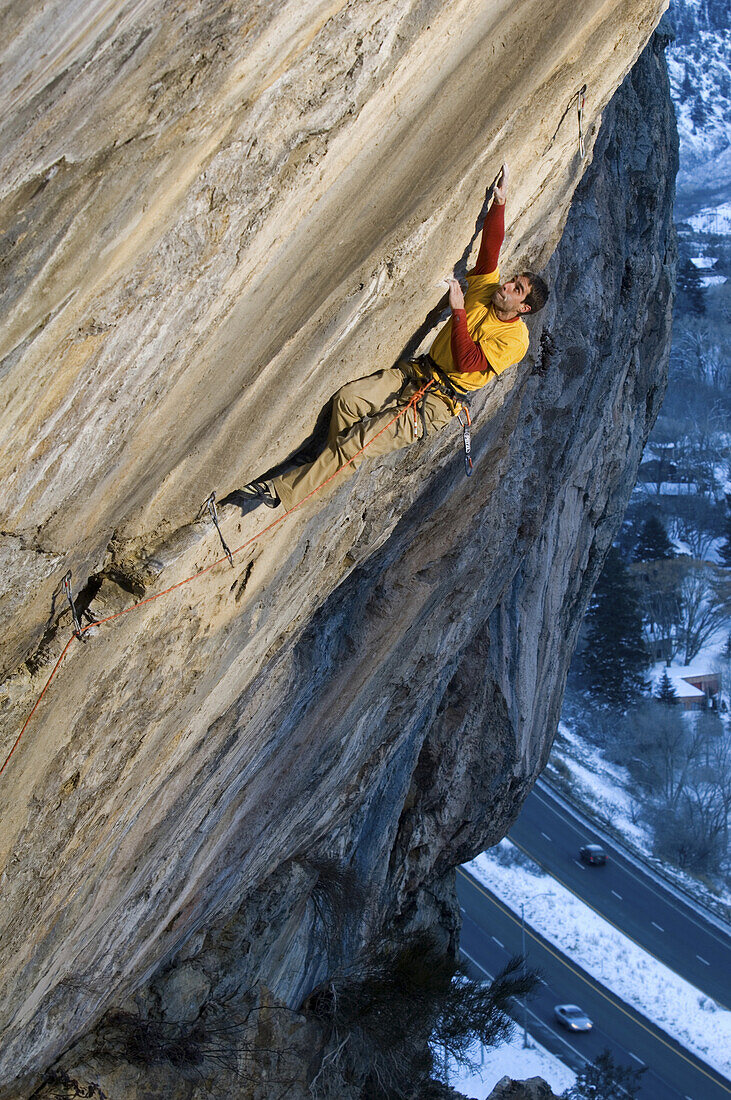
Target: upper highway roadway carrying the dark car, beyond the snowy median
<point>637,904</point>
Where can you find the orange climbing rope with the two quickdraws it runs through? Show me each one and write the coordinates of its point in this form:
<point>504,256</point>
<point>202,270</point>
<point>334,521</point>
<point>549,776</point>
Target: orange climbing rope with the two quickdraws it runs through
<point>80,631</point>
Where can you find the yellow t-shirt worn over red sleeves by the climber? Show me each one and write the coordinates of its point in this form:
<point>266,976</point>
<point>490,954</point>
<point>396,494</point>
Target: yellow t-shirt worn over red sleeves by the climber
<point>504,343</point>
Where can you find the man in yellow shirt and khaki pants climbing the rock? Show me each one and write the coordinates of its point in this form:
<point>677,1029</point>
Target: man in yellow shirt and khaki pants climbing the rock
<point>484,337</point>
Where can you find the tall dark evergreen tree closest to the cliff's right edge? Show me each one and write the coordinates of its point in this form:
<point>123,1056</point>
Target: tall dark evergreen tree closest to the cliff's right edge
<point>616,656</point>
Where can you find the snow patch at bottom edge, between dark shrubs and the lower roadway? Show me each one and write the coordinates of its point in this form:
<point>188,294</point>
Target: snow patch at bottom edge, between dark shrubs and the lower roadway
<point>512,1060</point>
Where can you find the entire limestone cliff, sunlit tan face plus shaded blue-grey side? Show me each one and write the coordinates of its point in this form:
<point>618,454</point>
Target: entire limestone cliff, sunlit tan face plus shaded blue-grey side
<point>215,216</point>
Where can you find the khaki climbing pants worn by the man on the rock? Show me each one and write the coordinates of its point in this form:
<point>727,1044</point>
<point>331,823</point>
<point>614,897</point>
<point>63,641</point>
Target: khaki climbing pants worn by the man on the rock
<point>361,410</point>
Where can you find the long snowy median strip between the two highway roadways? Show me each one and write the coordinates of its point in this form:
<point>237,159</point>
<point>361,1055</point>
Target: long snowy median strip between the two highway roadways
<point>654,989</point>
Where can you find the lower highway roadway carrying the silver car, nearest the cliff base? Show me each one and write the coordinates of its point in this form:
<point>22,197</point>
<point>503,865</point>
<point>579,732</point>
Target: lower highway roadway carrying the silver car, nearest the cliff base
<point>492,934</point>
